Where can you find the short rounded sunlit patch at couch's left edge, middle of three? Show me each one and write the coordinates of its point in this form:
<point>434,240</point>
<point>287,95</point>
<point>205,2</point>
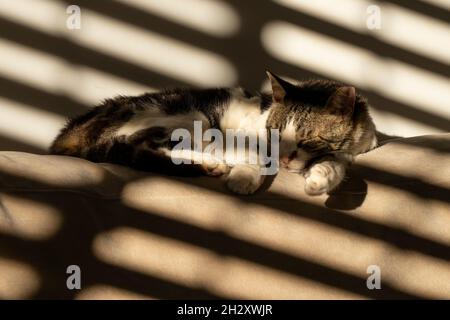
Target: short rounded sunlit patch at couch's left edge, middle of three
<point>28,219</point>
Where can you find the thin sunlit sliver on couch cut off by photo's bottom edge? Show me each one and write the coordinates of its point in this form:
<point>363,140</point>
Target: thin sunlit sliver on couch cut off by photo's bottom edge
<point>107,292</point>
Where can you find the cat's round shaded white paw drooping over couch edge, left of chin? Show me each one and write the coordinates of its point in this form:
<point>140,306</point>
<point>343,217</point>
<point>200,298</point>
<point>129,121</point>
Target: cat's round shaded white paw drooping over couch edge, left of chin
<point>245,179</point>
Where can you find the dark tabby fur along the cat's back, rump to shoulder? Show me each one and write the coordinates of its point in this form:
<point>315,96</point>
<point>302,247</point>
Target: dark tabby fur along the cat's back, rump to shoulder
<point>101,123</point>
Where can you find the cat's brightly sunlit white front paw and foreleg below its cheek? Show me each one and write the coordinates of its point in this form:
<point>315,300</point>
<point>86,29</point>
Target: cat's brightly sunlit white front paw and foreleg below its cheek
<point>325,175</point>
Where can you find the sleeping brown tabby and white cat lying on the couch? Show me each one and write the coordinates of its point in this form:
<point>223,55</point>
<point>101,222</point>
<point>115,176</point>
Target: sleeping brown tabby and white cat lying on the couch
<point>322,126</point>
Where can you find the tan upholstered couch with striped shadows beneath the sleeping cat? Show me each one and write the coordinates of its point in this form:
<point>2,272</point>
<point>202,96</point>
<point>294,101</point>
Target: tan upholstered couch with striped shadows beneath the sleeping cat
<point>141,235</point>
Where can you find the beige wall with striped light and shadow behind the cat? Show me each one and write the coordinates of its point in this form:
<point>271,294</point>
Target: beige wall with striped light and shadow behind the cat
<point>49,72</point>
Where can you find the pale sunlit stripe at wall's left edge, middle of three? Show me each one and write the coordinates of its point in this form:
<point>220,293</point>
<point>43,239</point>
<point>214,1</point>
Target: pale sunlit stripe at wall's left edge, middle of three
<point>57,76</point>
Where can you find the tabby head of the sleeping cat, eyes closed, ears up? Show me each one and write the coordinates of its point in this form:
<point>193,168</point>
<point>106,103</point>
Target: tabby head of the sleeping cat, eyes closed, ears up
<point>318,117</point>
